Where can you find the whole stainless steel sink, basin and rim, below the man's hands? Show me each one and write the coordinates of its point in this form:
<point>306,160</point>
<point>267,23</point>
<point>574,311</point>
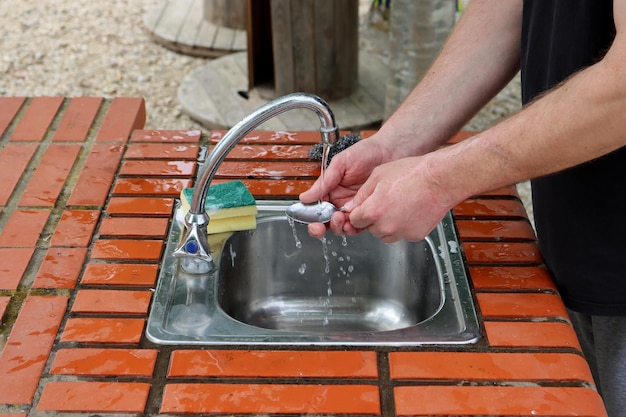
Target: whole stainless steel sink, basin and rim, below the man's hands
<point>276,285</point>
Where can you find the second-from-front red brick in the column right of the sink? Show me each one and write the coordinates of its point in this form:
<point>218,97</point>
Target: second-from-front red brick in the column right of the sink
<point>496,305</point>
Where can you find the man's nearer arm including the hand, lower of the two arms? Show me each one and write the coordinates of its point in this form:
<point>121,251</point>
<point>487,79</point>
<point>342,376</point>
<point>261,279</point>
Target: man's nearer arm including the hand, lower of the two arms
<point>578,121</point>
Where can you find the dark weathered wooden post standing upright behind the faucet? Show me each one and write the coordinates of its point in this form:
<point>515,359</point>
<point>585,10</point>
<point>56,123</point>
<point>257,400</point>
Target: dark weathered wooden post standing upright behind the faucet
<point>315,44</point>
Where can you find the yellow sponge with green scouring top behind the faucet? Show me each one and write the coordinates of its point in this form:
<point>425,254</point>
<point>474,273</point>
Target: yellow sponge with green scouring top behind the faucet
<point>230,207</point>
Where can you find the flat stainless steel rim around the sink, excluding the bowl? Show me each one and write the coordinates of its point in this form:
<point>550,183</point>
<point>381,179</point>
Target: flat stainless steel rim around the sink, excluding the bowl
<point>457,311</point>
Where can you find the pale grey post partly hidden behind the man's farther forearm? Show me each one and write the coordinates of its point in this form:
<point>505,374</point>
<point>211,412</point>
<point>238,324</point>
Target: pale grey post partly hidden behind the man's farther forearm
<point>418,30</point>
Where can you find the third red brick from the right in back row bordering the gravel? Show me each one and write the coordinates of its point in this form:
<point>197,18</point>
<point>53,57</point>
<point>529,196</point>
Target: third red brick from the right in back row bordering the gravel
<point>37,119</point>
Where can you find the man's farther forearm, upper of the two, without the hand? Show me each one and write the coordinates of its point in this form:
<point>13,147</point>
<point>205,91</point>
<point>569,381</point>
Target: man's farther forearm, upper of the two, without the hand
<point>479,58</point>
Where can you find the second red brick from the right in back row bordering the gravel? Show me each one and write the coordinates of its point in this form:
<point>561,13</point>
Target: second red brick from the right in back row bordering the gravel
<point>77,120</point>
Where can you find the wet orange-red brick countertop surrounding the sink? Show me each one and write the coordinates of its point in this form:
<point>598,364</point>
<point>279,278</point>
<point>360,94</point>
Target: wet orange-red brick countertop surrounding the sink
<point>85,203</point>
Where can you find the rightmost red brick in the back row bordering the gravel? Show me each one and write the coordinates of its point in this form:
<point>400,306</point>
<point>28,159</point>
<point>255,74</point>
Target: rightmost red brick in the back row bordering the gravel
<point>123,116</point>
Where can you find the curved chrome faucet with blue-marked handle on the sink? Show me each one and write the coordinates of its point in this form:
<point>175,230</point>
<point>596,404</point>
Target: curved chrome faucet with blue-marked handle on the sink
<point>194,249</point>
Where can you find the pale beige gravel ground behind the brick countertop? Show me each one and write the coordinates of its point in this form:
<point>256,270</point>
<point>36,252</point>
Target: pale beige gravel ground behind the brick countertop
<point>101,48</point>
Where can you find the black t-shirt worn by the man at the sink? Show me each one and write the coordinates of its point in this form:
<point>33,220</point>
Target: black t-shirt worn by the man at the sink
<point>580,213</point>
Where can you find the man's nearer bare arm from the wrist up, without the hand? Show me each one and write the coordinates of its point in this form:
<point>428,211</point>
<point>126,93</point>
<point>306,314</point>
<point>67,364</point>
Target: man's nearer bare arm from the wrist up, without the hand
<point>578,121</point>
